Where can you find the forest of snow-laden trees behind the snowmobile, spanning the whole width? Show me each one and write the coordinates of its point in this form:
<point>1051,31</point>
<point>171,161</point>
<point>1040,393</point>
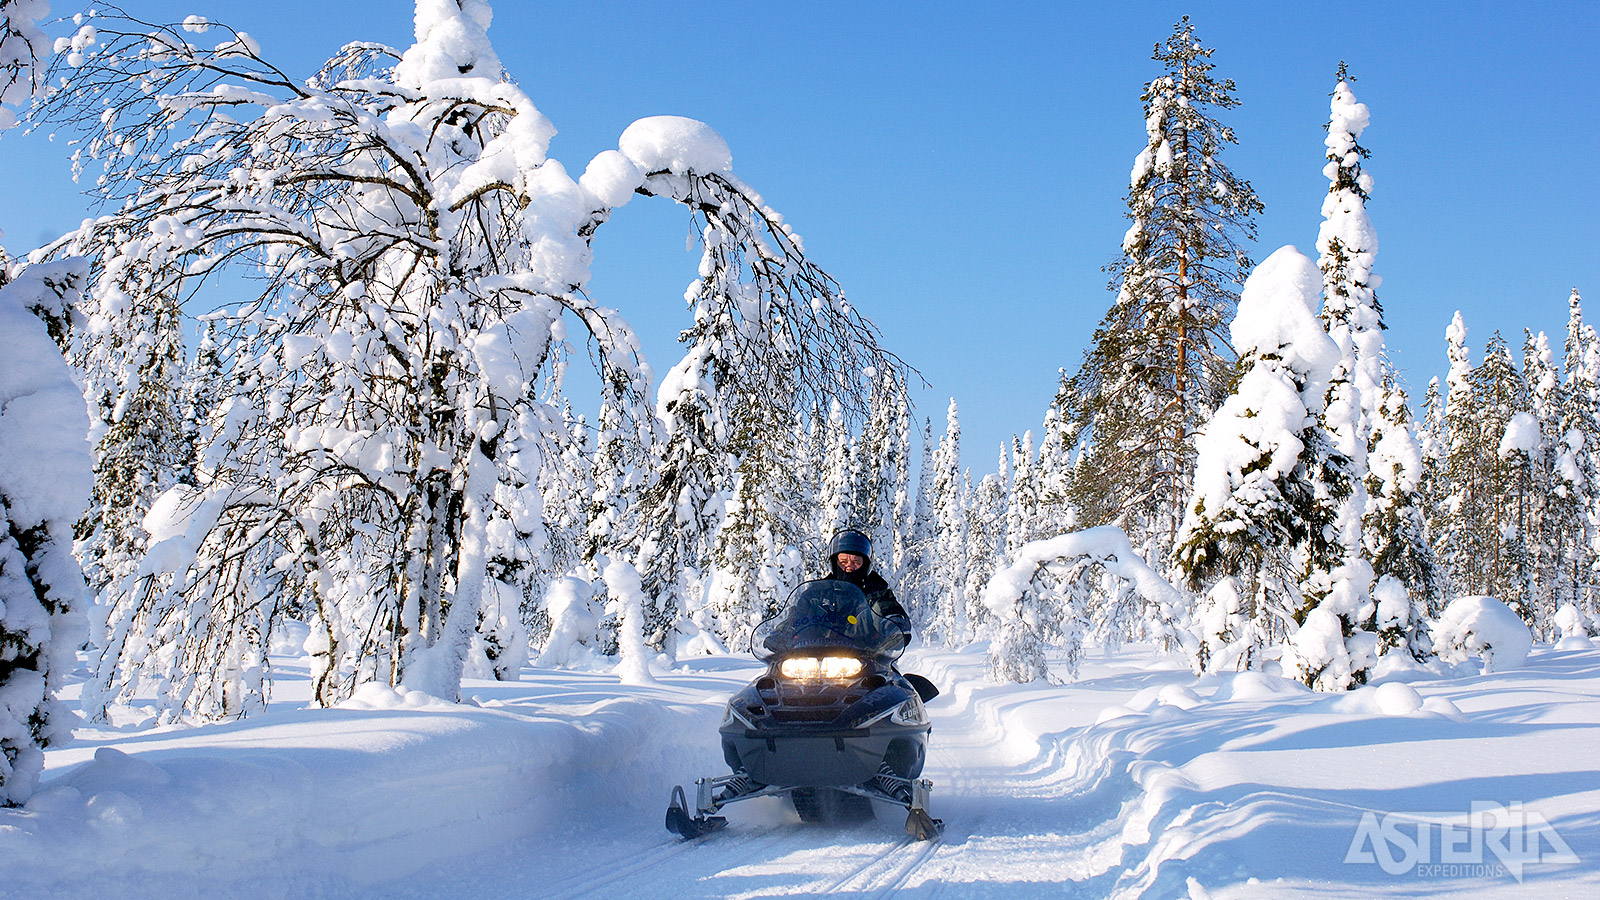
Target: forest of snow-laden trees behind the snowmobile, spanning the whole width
<point>322,326</point>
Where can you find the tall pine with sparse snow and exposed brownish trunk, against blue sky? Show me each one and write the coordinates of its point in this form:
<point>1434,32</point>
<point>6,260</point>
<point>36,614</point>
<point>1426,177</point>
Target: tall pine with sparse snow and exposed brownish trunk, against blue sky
<point>1159,364</point>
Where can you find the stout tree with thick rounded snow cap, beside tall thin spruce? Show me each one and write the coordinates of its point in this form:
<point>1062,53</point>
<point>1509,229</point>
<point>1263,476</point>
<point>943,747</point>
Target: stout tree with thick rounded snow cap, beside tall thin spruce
<point>1260,505</point>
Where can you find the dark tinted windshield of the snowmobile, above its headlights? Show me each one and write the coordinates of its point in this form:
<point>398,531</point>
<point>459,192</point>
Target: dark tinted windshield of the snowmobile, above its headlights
<point>830,616</point>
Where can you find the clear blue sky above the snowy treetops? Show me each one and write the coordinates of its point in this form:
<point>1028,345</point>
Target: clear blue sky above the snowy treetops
<point>962,167</point>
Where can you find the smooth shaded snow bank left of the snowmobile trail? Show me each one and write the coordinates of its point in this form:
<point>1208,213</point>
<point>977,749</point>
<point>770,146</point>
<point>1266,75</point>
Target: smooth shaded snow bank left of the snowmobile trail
<point>361,802</point>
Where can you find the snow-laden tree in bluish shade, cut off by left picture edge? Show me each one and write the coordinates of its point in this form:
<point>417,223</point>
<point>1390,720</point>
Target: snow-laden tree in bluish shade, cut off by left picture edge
<point>46,480</point>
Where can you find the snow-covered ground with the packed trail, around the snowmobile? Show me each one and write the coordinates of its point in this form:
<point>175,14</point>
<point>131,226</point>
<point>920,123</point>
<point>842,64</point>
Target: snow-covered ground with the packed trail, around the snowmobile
<point>1137,781</point>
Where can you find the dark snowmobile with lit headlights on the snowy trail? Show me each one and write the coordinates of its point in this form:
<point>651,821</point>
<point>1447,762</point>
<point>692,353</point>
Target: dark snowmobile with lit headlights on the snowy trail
<point>831,723</point>
